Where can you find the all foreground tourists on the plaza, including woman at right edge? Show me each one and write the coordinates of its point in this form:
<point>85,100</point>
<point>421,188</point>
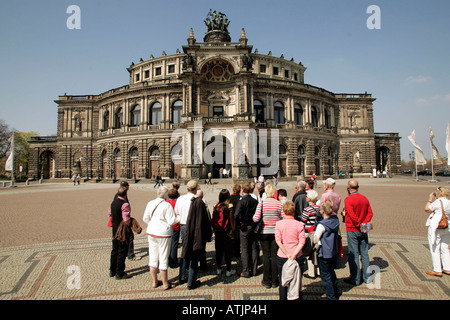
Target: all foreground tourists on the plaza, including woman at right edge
<point>298,237</point>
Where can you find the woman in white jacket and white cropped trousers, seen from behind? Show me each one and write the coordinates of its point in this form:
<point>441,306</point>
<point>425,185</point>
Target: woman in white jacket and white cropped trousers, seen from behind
<point>160,217</point>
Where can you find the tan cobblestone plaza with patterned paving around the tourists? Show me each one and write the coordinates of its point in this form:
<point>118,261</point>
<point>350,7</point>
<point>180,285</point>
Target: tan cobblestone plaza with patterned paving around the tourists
<point>51,229</point>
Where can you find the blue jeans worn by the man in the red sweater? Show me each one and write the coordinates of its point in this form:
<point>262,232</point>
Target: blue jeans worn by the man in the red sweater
<point>358,245</point>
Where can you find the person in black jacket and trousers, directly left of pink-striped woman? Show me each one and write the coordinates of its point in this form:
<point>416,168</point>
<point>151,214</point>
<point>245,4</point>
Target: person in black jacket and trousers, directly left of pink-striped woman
<point>245,209</point>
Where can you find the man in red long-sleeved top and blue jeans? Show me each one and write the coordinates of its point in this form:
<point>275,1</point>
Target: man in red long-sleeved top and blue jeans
<point>357,210</point>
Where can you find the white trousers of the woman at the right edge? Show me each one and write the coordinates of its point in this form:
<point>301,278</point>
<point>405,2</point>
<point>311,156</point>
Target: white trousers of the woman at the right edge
<point>440,254</point>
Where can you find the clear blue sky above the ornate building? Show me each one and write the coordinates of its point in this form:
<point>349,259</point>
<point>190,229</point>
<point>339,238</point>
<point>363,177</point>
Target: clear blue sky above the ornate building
<point>405,65</point>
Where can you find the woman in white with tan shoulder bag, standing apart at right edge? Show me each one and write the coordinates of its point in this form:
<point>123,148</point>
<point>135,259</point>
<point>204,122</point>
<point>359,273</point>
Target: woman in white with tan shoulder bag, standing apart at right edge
<point>438,239</point>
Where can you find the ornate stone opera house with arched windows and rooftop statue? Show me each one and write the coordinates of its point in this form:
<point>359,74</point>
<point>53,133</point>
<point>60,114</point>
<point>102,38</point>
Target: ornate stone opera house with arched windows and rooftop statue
<point>161,121</point>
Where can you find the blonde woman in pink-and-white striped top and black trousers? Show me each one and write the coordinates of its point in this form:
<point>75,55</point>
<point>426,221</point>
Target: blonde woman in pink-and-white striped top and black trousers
<point>272,212</point>
